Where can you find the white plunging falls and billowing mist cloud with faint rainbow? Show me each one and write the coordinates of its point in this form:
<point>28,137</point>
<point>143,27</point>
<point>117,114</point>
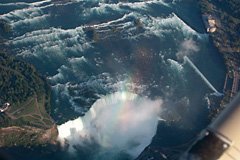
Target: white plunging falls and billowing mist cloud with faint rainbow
<point>120,122</point>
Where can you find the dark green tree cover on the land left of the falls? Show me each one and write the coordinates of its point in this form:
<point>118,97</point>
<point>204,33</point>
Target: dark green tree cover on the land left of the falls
<point>19,80</point>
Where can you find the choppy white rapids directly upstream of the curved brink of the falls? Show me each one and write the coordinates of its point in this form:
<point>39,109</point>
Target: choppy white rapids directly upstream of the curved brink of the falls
<point>97,85</point>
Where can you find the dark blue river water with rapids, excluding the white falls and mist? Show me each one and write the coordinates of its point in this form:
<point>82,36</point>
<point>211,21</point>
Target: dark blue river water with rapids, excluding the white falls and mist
<point>87,49</point>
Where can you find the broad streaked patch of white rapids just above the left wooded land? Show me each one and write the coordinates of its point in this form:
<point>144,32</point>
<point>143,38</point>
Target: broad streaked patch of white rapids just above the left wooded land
<point>55,40</point>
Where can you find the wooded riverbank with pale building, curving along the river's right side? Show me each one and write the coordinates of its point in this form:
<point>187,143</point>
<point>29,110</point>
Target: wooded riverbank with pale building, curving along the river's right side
<point>226,39</point>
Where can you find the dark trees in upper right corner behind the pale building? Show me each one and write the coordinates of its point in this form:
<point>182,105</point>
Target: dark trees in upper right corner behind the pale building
<point>227,36</point>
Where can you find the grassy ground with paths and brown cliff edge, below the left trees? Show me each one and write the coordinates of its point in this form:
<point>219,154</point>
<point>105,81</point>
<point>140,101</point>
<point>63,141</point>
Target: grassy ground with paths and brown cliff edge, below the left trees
<point>28,124</point>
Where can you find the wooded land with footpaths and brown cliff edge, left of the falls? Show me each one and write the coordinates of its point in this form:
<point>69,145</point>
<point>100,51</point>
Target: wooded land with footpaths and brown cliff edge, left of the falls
<point>24,104</point>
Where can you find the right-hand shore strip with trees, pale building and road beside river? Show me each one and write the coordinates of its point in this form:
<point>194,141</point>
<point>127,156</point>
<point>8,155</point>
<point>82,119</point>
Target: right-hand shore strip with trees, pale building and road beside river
<point>221,39</point>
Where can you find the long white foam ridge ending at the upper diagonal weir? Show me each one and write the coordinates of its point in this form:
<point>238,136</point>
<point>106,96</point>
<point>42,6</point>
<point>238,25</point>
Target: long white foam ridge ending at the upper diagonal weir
<point>157,26</point>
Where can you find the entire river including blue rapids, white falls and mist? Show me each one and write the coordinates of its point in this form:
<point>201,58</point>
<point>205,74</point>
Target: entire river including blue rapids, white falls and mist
<point>90,48</point>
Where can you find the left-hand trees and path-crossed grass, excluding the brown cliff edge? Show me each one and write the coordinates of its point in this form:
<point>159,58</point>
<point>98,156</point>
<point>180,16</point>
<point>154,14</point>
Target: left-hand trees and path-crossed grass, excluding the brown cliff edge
<point>26,91</point>
